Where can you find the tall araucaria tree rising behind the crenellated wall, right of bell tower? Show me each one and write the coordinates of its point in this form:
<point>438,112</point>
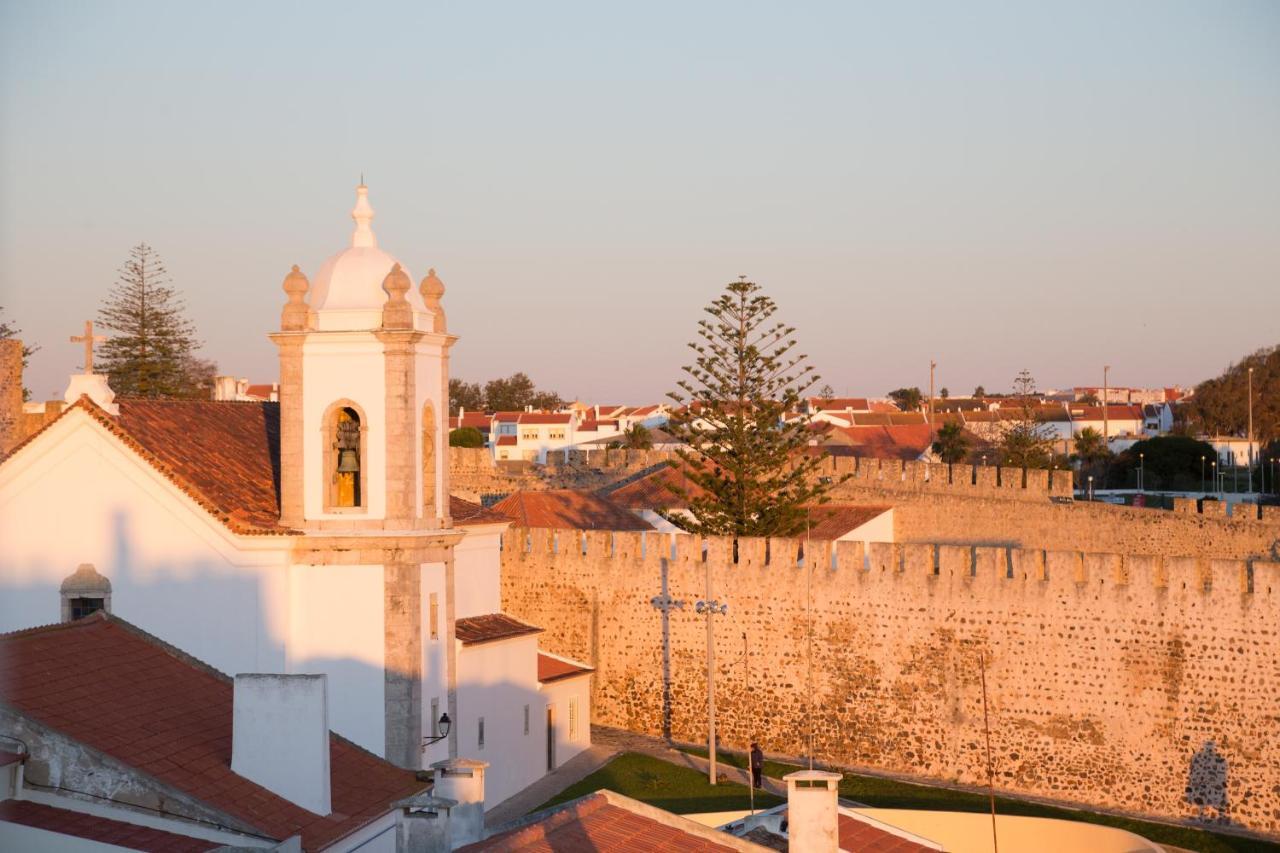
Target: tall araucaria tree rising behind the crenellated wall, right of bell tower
<point>746,463</point>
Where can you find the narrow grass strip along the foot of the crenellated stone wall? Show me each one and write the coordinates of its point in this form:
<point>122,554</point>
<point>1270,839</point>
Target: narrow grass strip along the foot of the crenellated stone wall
<point>890,793</point>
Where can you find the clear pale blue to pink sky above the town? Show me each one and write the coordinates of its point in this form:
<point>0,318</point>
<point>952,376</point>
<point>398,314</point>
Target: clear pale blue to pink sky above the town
<point>994,186</point>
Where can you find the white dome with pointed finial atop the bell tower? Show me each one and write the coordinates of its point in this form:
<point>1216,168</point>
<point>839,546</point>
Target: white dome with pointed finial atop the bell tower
<point>349,288</point>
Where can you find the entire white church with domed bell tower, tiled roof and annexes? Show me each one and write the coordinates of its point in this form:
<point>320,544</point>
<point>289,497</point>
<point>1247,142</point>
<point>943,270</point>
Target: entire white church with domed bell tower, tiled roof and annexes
<point>314,536</point>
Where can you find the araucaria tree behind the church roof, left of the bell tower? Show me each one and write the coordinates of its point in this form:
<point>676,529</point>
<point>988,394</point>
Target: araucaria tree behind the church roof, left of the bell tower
<point>153,350</point>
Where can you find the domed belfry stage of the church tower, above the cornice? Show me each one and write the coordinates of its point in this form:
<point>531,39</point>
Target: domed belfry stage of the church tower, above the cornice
<point>364,389</point>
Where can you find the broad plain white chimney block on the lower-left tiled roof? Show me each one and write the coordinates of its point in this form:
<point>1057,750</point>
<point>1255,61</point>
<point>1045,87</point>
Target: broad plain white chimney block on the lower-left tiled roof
<point>281,737</point>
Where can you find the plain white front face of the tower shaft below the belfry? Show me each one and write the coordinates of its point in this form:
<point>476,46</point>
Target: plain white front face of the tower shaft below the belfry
<point>337,628</point>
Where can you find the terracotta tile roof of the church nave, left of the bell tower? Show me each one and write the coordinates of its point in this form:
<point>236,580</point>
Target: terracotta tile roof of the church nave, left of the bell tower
<point>225,455</point>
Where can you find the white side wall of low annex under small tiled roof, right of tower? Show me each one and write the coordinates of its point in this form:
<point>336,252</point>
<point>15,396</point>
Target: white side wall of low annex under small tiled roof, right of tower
<point>497,682</point>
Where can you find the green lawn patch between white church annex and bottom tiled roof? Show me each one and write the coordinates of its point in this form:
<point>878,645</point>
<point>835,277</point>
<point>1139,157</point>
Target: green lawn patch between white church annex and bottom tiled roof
<point>665,786</point>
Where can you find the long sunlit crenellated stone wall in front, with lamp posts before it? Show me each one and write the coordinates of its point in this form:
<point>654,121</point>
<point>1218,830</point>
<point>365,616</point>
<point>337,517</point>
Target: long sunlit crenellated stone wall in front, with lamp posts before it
<point>1131,682</point>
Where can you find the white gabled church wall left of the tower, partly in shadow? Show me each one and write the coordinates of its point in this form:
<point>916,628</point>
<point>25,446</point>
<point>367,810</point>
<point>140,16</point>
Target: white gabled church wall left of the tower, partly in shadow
<point>79,496</point>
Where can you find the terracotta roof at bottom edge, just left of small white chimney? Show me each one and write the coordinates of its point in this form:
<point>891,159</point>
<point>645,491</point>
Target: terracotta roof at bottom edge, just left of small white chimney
<point>602,823</point>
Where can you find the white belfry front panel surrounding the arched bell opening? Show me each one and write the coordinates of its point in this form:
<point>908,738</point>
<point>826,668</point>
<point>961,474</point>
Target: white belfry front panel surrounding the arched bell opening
<point>344,367</point>
